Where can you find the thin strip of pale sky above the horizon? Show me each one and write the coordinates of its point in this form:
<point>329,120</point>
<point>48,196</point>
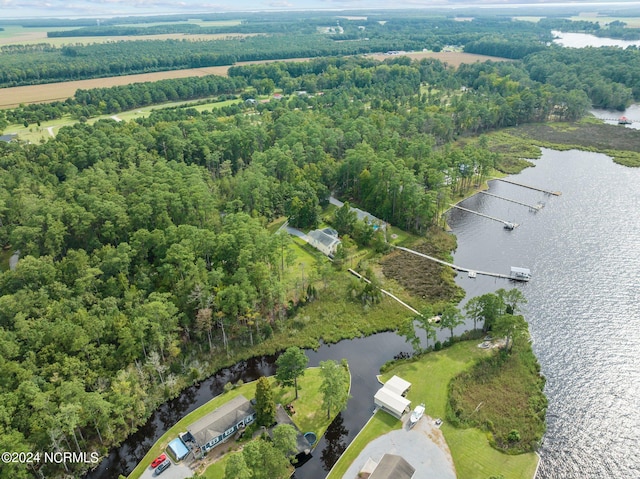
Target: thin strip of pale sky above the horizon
<point>12,9</point>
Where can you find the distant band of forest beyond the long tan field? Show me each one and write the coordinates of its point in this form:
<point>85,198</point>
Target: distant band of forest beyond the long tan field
<point>27,65</point>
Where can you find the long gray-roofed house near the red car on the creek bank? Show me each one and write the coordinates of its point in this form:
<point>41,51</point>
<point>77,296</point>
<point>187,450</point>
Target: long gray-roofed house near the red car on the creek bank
<point>219,425</point>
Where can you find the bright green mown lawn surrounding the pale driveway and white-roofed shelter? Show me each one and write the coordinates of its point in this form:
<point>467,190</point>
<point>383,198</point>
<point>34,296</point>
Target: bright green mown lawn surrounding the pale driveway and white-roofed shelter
<point>430,376</point>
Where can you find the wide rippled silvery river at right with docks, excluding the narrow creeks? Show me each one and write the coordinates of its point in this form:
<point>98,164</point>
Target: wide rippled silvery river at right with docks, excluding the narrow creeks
<point>583,298</point>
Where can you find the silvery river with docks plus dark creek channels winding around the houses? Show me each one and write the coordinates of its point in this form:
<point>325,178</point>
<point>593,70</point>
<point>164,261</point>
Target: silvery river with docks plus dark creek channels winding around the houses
<point>583,249</point>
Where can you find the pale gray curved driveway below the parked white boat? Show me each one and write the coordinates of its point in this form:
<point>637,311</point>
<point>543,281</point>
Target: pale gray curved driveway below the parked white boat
<point>423,446</point>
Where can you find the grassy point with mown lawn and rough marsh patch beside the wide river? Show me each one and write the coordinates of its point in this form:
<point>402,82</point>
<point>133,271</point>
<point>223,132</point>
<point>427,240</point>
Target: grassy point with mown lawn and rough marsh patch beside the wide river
<point>464,367</point>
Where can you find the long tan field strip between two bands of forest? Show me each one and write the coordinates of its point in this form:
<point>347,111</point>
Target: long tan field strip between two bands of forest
<point>12,97</point>
